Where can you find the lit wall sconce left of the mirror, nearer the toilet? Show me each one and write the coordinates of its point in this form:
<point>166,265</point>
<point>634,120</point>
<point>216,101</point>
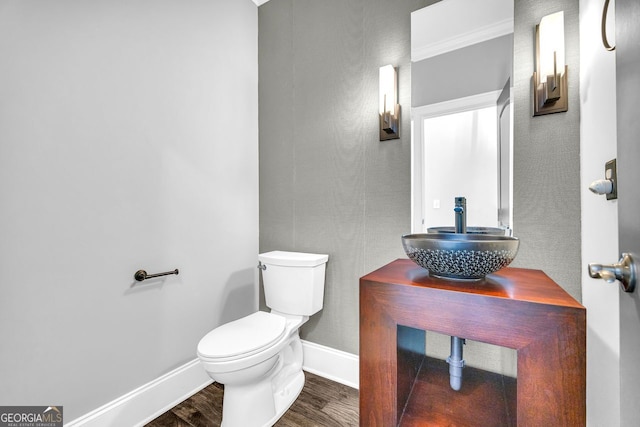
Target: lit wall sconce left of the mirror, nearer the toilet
<point>389,107</point>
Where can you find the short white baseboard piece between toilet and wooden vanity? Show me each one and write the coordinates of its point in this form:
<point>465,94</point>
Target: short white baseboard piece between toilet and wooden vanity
<point>335,365</point>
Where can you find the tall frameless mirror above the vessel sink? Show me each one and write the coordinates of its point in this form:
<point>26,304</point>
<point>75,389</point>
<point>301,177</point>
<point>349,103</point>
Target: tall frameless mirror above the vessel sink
<point>461,69</point>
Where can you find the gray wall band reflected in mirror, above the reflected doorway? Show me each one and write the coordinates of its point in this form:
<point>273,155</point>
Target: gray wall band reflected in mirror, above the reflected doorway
<point>479,68</point>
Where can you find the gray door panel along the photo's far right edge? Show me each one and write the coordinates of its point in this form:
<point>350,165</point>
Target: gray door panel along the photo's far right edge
<point>628,126</point>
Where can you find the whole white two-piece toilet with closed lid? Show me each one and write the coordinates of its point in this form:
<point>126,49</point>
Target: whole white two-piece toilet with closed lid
<point>258,358</point>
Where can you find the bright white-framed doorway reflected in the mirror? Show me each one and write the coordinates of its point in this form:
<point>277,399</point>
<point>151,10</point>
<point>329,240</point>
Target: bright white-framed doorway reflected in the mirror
<point>456,142</point>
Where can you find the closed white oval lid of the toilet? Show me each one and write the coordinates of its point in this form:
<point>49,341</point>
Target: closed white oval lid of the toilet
<point>242,336</point>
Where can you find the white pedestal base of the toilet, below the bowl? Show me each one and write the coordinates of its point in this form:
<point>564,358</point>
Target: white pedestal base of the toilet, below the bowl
<point>258,405</point>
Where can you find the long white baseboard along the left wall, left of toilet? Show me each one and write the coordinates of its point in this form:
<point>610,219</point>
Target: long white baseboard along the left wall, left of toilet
<point>145,403</point>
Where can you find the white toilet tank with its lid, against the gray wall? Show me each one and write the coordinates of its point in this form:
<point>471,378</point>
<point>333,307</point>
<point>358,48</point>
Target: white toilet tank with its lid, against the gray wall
<point>293,281</point>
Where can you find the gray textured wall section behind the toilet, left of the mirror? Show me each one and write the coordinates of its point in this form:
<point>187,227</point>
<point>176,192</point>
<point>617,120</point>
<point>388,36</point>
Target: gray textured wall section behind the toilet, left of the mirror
<point>327,184</point>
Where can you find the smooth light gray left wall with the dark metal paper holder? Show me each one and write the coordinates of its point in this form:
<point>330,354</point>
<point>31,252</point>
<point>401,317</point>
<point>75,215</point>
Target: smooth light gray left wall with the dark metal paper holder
<point>112,159</point>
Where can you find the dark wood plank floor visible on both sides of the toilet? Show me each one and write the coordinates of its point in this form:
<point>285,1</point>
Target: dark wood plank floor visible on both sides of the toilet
<point>321,403</point>
